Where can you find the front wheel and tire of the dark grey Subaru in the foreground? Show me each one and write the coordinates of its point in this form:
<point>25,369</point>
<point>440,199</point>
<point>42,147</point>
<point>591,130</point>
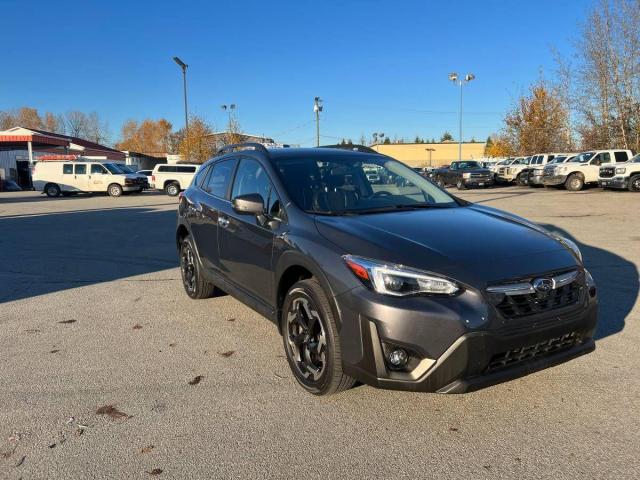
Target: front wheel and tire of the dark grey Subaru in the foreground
<point>311,340</point>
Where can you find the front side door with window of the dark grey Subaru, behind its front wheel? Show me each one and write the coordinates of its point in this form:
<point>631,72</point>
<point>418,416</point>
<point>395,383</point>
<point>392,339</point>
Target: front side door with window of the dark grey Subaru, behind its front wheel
<point>246,241</point>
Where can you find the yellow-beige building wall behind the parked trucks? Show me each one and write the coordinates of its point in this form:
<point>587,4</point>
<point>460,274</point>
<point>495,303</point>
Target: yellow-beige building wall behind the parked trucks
<point>416,155</point>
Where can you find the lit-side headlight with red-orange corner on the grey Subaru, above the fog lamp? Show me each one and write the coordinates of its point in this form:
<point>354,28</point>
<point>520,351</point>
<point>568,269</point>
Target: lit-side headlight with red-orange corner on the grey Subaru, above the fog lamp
<point>397,280</point>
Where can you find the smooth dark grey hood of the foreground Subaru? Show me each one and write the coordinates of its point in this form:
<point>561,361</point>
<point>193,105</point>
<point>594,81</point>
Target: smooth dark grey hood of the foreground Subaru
<point>473,244</point>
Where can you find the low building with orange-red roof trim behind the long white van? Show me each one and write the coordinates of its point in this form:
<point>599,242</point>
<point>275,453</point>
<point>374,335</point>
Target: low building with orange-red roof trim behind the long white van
<point>21,147</point>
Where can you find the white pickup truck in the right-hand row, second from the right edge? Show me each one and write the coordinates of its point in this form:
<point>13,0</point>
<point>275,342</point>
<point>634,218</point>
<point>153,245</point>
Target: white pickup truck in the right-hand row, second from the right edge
<point>582,169</point>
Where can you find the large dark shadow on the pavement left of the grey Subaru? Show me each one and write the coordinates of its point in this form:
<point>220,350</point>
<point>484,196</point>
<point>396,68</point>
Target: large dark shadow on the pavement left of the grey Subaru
<point>49,253</point>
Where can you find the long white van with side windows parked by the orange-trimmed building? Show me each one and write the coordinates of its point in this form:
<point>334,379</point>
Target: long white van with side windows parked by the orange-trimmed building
<point>63,177</point>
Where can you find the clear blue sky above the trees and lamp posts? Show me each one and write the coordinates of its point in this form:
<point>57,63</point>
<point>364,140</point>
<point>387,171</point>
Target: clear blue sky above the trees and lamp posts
<point>379,66</point>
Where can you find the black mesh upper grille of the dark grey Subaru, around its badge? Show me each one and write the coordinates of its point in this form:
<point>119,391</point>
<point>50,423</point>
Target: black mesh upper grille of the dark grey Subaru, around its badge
<point>517,306</point>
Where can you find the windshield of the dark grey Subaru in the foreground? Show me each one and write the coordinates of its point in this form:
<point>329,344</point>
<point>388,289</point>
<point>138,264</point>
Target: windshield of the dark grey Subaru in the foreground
<point>339,185</point>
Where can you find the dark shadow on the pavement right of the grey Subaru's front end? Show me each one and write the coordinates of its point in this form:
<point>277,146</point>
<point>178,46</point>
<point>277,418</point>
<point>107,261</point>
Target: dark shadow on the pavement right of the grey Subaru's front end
<point>617,281</point>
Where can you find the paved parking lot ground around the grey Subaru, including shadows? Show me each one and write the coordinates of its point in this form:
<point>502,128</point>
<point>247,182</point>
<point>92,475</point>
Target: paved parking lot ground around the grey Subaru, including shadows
<point>93,314</point>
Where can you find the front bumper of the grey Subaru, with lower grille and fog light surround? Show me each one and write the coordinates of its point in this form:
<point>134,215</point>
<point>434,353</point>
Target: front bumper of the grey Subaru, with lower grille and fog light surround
<point>459,343</point>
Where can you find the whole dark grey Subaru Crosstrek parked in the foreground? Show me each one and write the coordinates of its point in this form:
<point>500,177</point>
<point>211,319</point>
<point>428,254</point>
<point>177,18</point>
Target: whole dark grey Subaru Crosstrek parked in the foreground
<point>399,285</point>
